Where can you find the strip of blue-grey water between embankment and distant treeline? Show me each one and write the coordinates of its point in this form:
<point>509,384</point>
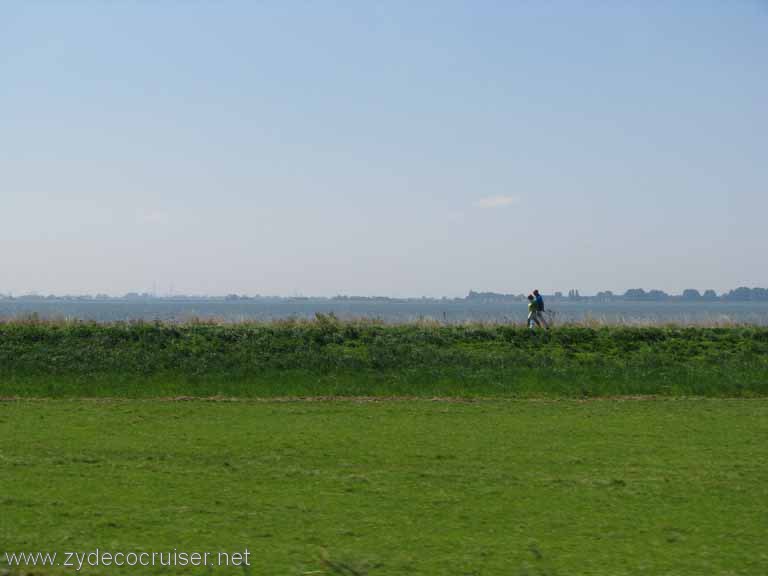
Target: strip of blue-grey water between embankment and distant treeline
<point>449,311</point>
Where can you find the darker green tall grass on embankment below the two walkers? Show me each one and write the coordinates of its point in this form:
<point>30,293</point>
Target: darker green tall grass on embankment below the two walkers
<point>330,357</point>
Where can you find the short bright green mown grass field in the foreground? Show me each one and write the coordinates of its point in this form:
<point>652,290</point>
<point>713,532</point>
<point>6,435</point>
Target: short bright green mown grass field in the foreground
<point>393,487</point>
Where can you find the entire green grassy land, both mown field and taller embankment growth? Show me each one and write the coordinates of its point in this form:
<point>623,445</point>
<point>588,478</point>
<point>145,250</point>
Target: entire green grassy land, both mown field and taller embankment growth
<point>92,456</point>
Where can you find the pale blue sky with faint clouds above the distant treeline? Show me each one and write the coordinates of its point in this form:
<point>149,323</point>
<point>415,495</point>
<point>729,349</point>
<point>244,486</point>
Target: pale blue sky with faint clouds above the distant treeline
<point>390,148</point>
